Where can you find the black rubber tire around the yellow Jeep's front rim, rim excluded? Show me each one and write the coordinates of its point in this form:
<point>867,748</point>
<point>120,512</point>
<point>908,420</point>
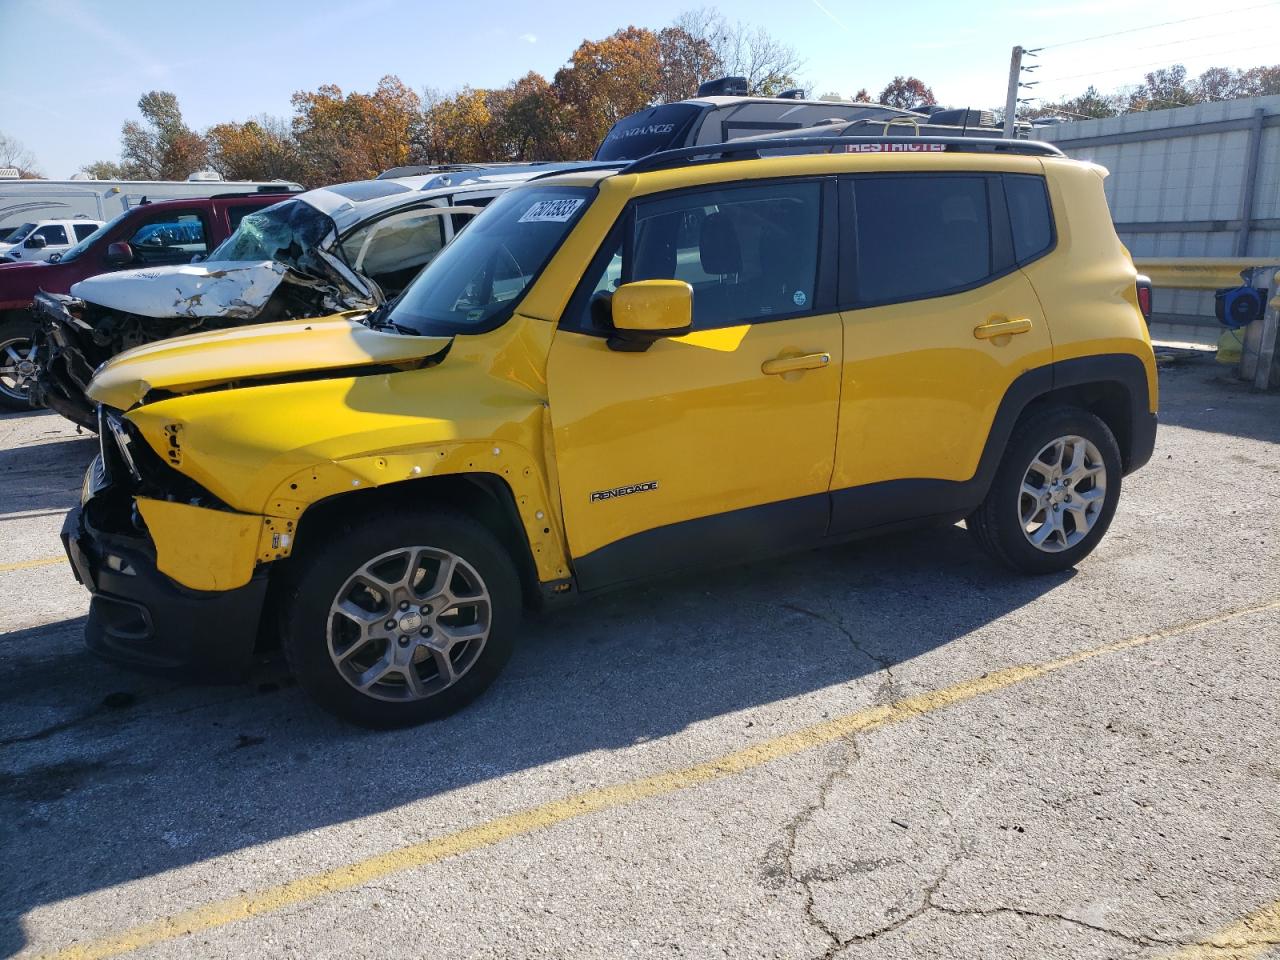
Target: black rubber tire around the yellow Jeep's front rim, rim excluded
<point>324,570</point>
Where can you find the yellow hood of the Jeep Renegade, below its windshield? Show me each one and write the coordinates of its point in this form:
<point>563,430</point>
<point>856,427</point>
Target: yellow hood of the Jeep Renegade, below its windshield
<point>266,353</point>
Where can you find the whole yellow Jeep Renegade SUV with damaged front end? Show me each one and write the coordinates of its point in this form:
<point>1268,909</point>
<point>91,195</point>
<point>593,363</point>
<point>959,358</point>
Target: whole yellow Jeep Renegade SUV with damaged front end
<point>614,374</point>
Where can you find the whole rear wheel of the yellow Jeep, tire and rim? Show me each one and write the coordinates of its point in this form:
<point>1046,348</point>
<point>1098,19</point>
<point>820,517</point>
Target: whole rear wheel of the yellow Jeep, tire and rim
<point>1054,495</point>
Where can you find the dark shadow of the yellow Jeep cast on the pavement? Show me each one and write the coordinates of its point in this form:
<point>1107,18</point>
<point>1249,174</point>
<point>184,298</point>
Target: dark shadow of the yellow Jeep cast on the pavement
<point>107,778</point>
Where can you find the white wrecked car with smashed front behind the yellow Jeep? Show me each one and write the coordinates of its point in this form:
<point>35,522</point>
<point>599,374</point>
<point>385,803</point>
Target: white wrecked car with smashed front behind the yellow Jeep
<point>351,246</point>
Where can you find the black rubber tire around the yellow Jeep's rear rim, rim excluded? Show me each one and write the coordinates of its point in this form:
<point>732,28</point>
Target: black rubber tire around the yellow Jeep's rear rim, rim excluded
<point>996,525</point>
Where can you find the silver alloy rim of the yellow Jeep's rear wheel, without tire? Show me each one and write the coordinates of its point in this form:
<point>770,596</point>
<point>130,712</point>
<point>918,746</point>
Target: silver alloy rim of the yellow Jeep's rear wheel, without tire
<point>1063,495</point>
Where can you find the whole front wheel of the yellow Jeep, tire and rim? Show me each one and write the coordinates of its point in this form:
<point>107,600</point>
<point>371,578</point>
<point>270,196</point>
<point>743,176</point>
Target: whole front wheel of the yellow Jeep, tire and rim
<point>403,619</point>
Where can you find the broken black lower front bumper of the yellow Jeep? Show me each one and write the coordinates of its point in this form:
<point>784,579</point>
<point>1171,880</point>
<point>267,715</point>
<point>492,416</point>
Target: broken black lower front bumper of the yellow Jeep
<point>143,619</point>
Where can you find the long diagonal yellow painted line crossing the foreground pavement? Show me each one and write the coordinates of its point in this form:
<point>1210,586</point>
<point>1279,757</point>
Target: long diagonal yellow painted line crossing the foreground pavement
<point>356,875</point>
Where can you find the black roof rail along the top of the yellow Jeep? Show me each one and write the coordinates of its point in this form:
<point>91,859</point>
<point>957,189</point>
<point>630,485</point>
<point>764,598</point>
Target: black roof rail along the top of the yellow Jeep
<point>751,149</point>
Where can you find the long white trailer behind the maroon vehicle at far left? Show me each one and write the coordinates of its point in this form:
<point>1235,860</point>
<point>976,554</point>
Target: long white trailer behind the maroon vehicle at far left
<point>28,202</point>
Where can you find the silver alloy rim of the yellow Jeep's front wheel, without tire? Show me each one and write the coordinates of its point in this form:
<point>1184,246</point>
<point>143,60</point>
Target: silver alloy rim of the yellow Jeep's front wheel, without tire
<point>409,624</point>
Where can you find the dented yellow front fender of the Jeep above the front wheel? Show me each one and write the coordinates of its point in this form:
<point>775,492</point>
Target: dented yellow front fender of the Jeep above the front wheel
<point>278,450</point>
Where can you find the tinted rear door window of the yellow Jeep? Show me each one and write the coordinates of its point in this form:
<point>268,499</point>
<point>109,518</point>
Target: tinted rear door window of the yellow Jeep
<point>921,236</point>
